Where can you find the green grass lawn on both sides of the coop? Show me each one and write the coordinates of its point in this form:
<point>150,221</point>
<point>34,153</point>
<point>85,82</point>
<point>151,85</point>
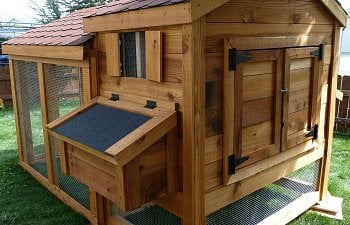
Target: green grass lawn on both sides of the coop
<point>24,201</point>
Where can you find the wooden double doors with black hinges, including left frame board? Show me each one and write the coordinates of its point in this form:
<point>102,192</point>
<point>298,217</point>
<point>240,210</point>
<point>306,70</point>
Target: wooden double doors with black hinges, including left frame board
<point>271,102</point>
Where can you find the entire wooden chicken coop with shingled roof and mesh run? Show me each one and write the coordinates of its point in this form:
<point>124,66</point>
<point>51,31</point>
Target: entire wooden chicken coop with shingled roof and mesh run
<point>183,112</point>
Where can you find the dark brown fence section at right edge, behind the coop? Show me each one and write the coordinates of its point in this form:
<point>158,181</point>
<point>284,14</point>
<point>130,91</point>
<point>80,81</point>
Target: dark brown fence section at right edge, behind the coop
<point>342,121</point>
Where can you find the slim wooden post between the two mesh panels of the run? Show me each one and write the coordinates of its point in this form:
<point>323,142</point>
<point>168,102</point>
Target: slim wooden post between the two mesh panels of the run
<point>44,111</point>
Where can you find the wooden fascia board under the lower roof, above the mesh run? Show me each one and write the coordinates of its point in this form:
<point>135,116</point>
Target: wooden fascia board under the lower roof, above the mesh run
<point>54,52</point>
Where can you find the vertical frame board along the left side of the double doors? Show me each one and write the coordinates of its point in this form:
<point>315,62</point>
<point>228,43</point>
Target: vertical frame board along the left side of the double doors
<point>228,100</point>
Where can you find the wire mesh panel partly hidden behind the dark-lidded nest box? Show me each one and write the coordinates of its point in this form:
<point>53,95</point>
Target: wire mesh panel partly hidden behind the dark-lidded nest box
<point>64,93</point>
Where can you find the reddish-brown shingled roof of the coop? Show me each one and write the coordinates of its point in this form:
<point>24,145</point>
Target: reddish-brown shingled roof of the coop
<point>68,31</point>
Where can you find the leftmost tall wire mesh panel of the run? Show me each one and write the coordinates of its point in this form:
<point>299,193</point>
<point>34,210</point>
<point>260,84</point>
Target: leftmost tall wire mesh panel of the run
<point>28,94</point>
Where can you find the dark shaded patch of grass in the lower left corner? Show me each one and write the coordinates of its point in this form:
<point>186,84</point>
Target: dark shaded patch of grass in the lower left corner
<point>25,201</point>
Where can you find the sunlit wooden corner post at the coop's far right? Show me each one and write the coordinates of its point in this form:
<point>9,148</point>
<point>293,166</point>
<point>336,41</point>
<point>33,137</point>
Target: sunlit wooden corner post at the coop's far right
<point>330,118</point>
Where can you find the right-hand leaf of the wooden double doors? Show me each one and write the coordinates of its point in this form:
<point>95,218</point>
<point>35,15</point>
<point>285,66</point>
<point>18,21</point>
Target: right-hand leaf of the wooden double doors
<point>302,101</point>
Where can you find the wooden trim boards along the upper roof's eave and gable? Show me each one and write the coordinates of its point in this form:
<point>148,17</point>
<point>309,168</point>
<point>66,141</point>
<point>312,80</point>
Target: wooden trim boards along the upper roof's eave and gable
<point>177,14</point>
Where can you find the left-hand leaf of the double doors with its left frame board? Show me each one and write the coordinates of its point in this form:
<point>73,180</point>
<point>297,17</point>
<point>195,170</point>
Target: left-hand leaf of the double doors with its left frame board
<point>252,107</point>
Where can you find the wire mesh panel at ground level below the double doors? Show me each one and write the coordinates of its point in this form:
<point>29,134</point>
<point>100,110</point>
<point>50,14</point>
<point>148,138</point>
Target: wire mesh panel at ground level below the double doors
<point>263,203</point>
